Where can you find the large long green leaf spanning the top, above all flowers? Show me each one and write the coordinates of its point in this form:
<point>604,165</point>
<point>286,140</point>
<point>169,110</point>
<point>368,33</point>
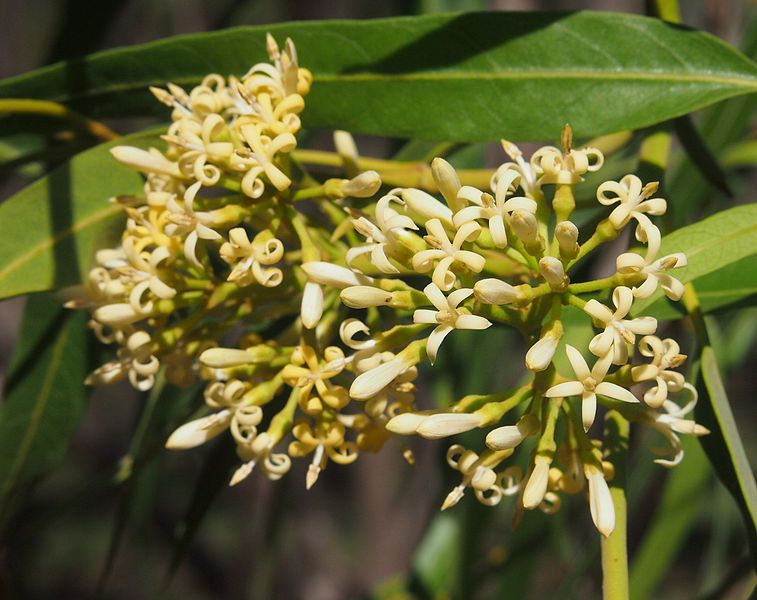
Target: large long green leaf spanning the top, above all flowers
<point>459,77</point>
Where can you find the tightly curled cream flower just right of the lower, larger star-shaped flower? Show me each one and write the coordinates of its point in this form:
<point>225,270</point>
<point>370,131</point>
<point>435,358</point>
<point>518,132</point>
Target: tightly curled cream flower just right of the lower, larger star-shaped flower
<point>665,355</point>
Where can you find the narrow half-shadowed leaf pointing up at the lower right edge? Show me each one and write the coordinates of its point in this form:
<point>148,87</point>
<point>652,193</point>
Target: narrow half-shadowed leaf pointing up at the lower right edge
<point>723,446</point>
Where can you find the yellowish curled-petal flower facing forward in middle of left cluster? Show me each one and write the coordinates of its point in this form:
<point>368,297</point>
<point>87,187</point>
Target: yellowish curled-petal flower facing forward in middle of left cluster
<point>250,259</point>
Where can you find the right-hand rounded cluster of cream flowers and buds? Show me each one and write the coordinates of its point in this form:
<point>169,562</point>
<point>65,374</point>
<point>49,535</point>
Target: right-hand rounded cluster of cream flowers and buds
<point>505,255</point>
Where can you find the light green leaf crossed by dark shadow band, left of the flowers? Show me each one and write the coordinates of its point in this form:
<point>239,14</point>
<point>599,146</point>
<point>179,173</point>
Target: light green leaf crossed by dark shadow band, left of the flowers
<point>50,230</point>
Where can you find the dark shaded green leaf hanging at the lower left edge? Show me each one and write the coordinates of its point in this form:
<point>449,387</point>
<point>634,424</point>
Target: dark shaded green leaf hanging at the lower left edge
<point>45,394</point>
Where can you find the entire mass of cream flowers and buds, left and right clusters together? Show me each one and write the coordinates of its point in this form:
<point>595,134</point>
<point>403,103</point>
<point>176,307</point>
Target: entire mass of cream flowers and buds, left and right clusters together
<point>234,239</point>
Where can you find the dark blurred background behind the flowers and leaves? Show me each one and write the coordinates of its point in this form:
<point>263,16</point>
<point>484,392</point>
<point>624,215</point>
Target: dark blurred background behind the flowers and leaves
<point>372,530</point>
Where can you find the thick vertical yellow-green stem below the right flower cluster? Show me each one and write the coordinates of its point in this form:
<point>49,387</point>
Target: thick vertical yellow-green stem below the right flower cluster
<point>615,546</point>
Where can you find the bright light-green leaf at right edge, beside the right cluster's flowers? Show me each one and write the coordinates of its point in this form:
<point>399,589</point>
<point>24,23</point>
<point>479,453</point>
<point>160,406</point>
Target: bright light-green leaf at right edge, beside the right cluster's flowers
<point>711,244</point>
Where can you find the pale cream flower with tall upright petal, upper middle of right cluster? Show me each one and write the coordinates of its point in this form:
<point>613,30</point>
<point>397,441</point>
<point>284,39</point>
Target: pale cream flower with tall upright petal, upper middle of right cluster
<point>497,208</point>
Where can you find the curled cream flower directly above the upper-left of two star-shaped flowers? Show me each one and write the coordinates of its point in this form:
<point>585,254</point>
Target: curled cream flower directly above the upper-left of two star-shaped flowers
<point>448,253</point>
